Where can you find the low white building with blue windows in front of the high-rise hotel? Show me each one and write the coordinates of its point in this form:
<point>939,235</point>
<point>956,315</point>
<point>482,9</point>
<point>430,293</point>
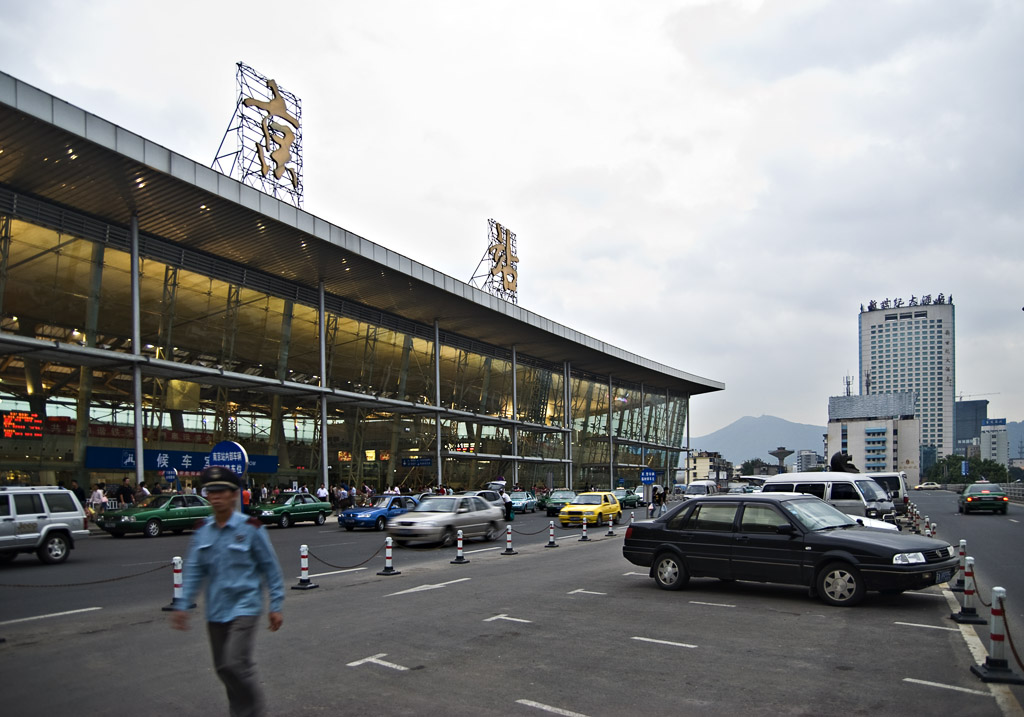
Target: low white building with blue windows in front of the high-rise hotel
<point>879,433</point>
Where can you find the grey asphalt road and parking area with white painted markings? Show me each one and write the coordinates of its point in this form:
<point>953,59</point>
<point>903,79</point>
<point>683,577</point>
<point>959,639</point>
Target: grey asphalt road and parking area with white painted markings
<point>577,629</point>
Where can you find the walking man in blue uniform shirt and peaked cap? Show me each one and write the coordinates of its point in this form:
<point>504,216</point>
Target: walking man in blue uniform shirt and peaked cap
<point>233,556</point>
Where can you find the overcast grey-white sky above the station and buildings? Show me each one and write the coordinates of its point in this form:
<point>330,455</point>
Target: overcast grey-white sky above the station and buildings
<point>716,186</point>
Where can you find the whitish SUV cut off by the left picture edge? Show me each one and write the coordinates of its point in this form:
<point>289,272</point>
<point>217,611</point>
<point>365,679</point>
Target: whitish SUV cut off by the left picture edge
<point>42,520</point>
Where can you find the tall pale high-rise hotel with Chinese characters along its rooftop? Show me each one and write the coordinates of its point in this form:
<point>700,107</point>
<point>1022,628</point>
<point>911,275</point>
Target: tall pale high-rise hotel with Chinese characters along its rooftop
<point>912,348</point>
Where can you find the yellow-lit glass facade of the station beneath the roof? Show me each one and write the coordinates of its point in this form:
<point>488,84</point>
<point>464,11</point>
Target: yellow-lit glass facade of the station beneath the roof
<point>234,361</point>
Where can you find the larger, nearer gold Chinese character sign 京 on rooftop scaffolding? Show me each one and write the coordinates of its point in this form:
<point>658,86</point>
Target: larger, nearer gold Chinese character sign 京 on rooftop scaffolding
<point>263,147</point>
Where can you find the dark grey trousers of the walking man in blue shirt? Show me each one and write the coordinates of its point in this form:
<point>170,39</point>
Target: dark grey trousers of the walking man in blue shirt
<point>233,646</point>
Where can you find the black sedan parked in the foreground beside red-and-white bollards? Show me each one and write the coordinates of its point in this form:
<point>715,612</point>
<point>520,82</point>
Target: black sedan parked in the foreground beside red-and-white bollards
<point>785,538</point>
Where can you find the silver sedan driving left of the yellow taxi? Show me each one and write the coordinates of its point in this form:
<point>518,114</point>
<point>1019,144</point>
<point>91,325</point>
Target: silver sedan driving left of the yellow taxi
<point>439,519</point>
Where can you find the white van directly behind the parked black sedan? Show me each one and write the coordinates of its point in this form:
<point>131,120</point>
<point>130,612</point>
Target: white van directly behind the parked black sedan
<point>855,494</point>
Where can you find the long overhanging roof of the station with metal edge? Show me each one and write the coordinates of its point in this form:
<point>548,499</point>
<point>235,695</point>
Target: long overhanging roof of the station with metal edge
<point>59,153</point>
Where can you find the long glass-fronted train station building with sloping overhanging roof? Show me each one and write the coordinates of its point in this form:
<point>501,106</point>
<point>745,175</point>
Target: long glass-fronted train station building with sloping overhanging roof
<point>152,308</point>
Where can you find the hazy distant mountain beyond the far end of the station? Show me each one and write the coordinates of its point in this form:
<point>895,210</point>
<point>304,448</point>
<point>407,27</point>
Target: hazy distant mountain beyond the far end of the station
<point>757,438</point>
